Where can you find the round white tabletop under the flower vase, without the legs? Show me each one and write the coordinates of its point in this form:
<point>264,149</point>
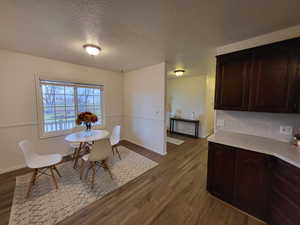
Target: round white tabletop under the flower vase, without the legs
<point>87,136</point>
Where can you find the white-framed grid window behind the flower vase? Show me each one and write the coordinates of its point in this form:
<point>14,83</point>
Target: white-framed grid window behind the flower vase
<point>62,101</point>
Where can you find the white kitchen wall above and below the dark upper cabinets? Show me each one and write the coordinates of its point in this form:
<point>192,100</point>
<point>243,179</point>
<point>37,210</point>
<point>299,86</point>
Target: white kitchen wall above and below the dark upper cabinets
<point>254,123</point>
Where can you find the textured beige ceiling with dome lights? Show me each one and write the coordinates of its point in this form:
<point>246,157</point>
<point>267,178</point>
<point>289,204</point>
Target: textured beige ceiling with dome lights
<point>137,33</point>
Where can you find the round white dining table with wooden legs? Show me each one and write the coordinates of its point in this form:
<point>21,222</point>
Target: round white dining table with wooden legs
<point>84,137</point>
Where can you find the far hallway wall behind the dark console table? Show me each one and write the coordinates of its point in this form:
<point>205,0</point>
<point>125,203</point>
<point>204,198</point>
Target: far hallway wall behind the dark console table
<point>187,94</point>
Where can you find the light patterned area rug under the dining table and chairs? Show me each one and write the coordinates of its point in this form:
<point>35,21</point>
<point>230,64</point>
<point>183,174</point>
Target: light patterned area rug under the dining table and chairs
<point>48,206</point>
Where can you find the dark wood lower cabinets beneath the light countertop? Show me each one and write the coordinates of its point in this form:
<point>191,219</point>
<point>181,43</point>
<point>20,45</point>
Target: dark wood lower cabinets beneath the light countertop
<point>261,185</point>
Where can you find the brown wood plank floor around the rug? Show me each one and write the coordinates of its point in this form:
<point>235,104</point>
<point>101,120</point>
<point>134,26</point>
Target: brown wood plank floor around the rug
<point>174,192</point>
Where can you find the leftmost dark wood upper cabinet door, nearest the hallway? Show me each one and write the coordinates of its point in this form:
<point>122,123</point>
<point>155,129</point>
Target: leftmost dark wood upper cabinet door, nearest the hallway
<point>232,81</point>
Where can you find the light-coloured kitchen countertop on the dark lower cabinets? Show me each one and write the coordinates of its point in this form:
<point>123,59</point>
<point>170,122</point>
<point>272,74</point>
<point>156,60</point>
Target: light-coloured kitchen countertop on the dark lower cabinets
<point>282,150</point>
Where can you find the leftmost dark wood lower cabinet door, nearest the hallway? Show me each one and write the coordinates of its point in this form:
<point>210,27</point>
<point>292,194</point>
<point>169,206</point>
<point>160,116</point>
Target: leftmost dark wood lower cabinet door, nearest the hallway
<point>220,177</point>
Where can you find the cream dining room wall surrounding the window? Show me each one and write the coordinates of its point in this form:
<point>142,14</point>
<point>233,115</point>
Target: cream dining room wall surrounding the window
<point>18,110</point>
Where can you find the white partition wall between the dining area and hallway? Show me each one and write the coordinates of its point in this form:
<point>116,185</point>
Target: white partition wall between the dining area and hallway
<point>144,107</point>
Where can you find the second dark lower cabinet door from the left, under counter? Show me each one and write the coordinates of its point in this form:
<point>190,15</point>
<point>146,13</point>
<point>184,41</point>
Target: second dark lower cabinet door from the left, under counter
<point>252,182</point>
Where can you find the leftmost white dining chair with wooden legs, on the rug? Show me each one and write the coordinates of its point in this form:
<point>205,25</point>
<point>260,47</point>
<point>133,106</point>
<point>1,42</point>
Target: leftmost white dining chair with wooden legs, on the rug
<point>40,163</point>
